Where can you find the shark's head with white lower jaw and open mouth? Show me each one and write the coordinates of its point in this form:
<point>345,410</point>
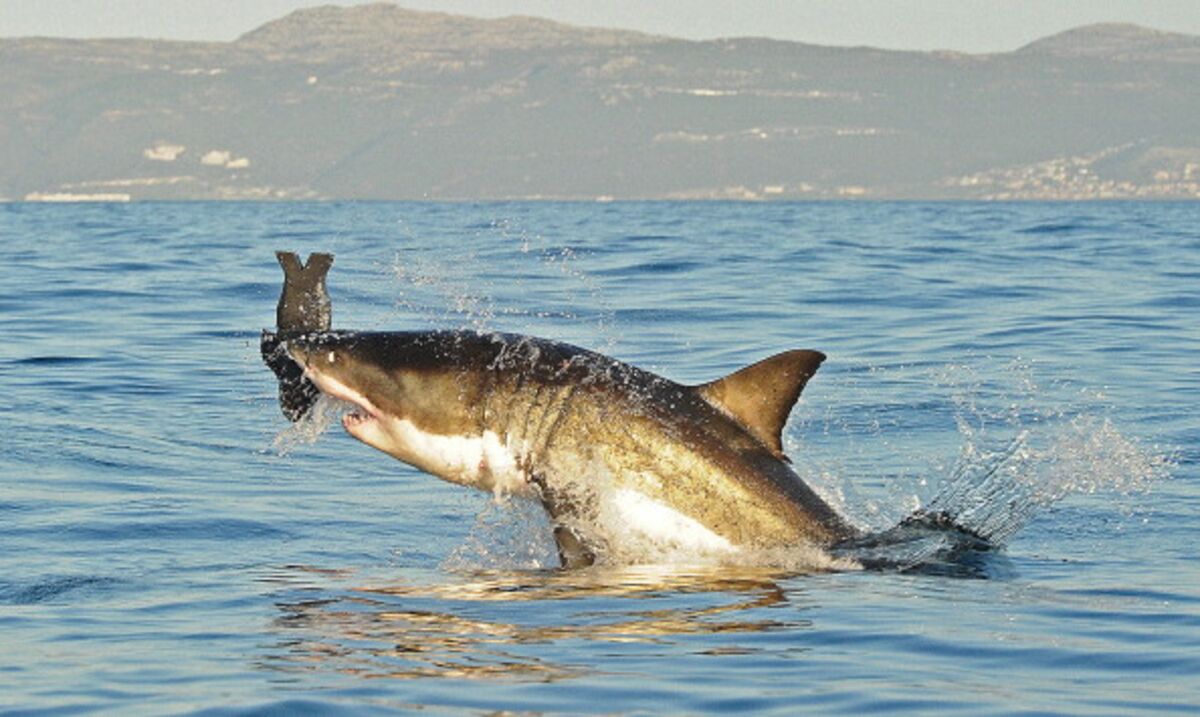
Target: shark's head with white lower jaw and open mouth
<point>411,391</point>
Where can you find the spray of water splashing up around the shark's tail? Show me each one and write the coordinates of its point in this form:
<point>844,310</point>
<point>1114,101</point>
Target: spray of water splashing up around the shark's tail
<point>1022,447</point>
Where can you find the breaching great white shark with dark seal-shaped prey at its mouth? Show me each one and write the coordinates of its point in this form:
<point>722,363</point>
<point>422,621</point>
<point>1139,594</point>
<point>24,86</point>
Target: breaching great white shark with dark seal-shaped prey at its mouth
<point>625,461</point>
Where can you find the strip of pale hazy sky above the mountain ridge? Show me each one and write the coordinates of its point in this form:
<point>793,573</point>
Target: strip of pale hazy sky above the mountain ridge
<point>970,26</point>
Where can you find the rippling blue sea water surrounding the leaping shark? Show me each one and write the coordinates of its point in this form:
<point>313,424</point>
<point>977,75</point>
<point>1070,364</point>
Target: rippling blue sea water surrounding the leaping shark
<point>170,544</point>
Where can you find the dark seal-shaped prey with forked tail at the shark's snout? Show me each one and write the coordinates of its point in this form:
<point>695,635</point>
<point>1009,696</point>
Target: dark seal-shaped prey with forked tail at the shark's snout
<point>304,308</point>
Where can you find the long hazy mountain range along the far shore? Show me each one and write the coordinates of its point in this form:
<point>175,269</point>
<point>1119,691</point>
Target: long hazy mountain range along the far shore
<point>382,103</point>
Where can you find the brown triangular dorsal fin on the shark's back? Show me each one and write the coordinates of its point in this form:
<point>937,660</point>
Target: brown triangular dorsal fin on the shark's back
<point>761,396</point>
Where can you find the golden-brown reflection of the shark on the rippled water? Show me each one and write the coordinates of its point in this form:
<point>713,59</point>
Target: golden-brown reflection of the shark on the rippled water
<point>505,625</point>
